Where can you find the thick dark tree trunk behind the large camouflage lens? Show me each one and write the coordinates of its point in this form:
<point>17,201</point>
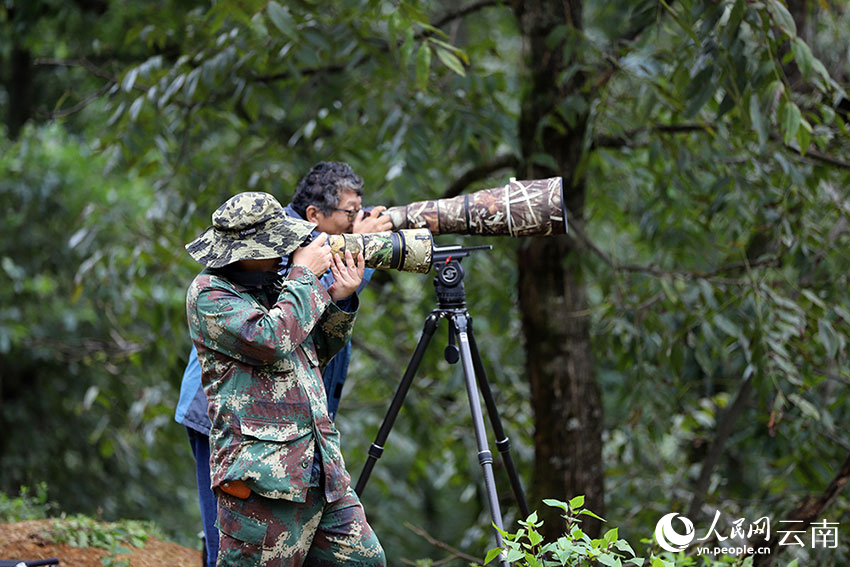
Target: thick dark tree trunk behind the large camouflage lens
<point>553,299</point>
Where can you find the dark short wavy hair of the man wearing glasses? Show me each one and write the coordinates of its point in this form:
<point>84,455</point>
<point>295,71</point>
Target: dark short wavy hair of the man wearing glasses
<point>323,185</point>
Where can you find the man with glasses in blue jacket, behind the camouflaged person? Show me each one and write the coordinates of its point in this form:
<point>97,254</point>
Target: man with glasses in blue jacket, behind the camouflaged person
<point>329,196</point>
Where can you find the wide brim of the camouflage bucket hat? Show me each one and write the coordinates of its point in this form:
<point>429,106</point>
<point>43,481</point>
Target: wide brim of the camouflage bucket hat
<point>278,237</point>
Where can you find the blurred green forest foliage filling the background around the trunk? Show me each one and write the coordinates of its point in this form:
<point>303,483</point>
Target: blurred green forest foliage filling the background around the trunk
<point>712,241</point>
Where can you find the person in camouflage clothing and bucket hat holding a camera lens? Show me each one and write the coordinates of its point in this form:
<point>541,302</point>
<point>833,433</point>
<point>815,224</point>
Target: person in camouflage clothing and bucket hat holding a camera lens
<point>284,495</point>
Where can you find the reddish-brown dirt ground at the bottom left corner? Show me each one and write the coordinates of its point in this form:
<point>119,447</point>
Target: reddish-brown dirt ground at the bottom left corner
<point>23,541</point>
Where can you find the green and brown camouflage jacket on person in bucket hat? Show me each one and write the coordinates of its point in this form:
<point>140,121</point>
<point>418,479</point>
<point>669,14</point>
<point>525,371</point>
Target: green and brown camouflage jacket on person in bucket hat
<point>260,371</point>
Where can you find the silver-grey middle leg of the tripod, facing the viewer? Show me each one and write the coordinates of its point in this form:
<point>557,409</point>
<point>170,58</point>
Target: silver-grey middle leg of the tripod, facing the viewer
<point>485,458</point>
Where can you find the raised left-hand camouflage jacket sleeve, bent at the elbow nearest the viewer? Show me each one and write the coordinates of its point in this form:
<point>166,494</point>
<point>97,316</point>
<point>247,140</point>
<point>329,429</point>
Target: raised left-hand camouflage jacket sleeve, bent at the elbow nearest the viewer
<point>233,324</point>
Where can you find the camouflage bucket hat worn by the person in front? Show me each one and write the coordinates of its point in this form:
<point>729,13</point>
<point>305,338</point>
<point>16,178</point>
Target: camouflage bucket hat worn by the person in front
<point>248,226</point>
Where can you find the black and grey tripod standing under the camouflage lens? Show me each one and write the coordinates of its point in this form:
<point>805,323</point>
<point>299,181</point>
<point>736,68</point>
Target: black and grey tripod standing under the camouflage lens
<point>451,305</point>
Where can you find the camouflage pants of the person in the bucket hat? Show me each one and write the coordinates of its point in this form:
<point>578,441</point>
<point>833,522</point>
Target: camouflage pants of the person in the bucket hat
<point>262,532</point>
